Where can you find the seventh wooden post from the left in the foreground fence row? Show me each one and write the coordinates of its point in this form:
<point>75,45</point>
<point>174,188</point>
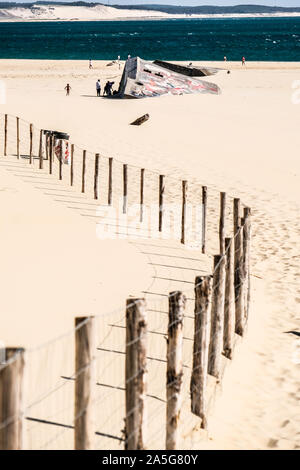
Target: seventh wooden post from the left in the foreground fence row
<point>229,324</point>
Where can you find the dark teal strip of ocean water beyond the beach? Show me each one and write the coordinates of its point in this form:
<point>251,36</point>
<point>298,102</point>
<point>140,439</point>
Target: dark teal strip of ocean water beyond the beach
<point>269,39</point>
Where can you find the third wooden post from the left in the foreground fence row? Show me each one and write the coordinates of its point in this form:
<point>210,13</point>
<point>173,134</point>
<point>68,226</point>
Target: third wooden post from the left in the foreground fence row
<point>136,374</point>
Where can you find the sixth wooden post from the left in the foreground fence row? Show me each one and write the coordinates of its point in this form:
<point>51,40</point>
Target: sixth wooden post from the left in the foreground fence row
<point>217,317</point>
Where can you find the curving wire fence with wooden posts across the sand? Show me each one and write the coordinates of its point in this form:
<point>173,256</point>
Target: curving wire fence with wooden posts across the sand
<point>45,413</point>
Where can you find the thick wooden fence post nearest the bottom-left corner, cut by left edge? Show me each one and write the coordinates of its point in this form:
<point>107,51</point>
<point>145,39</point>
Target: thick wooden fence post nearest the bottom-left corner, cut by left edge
<point>11,399</point>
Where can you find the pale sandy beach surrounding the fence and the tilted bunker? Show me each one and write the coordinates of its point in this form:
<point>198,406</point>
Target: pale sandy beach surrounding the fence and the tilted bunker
<point>244,142</point>
